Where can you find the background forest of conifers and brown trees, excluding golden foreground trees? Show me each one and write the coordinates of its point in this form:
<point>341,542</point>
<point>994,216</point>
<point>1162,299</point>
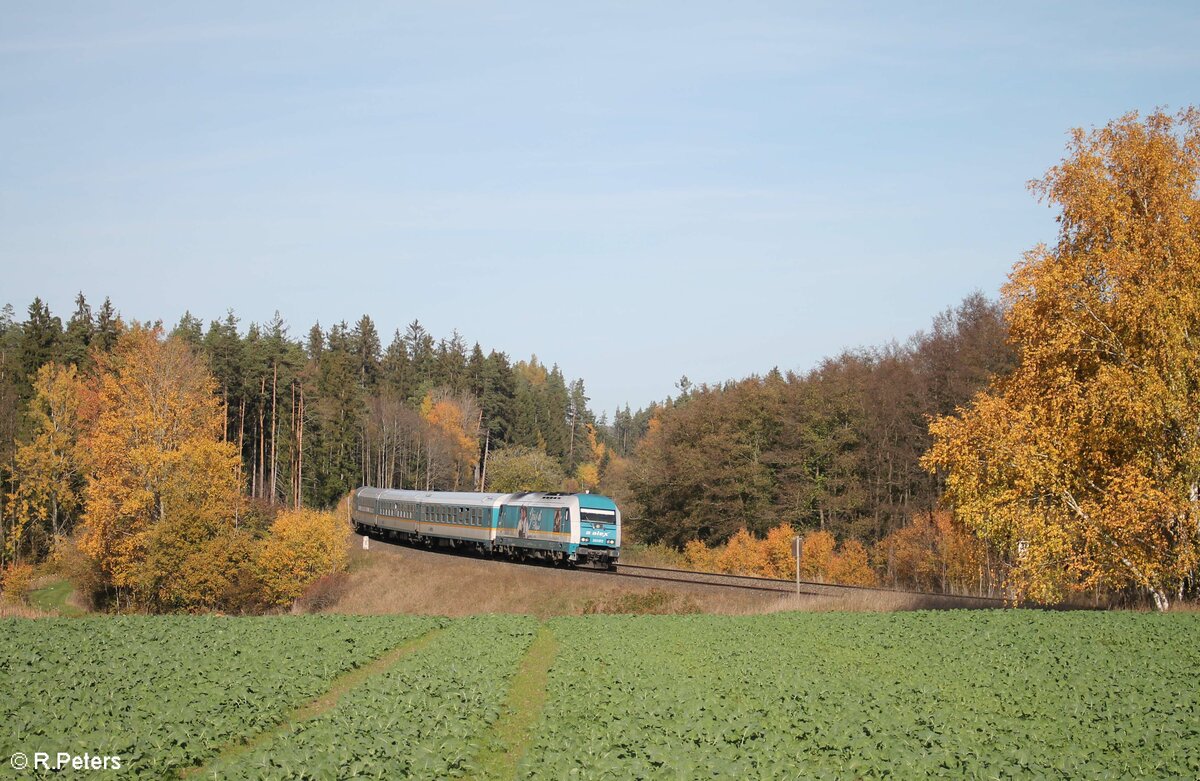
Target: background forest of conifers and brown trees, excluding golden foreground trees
<point>836,449</point>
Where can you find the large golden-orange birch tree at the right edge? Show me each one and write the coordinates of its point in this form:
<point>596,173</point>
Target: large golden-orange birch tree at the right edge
<point>1083,466</point>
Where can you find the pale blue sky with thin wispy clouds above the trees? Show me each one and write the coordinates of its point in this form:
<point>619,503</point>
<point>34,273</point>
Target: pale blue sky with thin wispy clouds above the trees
<point>634,191</point>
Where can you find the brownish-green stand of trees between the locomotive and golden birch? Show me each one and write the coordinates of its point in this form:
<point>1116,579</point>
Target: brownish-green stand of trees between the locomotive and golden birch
<point>836,449</point>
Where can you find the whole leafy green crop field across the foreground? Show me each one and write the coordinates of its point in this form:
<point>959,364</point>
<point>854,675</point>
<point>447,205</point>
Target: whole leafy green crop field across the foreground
<point>1017,694</point>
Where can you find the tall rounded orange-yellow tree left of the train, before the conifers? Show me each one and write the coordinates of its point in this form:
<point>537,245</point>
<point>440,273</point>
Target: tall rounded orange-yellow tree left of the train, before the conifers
<point>163,486</point>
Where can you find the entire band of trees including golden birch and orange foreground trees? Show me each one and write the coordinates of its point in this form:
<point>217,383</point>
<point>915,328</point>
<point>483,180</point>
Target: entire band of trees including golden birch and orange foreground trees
<point>1045,443</point>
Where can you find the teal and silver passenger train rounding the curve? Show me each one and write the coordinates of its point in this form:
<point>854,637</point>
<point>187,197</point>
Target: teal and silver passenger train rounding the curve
<point>565,528</point>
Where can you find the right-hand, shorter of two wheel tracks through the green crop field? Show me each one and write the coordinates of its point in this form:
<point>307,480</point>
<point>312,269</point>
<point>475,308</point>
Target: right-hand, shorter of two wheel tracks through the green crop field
<point>513,732</point>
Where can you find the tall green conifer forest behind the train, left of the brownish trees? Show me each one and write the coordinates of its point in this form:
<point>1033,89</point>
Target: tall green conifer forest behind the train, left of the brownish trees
<point>311,419</point>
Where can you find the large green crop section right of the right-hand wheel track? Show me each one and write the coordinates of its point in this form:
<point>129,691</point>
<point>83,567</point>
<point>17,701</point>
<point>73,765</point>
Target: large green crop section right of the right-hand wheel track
<point>959,695</point>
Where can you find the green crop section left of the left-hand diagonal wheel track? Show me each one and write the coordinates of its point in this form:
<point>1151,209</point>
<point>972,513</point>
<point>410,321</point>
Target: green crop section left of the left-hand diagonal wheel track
<point>166,693</point>
